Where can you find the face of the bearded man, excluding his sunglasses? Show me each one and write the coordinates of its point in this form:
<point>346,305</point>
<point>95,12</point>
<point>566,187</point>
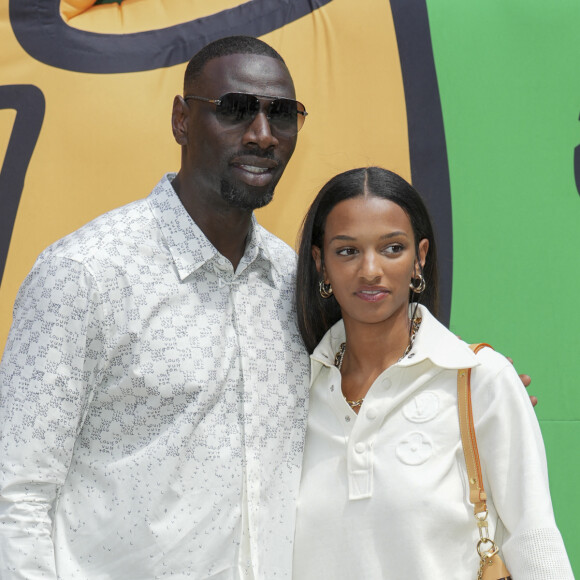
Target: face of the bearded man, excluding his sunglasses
<point>244,162</point>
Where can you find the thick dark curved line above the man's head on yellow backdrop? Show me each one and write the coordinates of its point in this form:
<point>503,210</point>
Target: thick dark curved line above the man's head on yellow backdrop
<point>44,35</point>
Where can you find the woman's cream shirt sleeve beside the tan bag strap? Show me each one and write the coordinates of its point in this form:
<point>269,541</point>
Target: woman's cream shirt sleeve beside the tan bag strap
<point>513,462</point>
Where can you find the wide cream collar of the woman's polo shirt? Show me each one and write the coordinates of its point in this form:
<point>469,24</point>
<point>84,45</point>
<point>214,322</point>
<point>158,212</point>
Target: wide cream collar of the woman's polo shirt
<point>433,341</point>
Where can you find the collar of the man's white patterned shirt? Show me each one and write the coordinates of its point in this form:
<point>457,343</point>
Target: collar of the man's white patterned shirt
<point>188,245</point>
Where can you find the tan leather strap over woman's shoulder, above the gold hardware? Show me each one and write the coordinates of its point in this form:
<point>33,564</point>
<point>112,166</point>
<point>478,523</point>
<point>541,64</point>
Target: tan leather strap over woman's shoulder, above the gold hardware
<point>477,494</point>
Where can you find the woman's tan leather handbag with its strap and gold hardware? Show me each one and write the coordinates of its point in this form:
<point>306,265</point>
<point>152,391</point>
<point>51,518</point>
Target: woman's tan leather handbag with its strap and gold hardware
<point>491,566</point>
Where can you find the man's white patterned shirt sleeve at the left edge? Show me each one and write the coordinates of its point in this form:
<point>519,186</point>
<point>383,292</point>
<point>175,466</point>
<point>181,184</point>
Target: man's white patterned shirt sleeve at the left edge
<point>46,379</point>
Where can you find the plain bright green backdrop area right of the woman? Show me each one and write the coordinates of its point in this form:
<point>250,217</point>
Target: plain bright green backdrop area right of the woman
<point>509,80</point>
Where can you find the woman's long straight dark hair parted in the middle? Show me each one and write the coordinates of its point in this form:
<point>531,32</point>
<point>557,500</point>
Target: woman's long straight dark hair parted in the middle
<point>316,314</point>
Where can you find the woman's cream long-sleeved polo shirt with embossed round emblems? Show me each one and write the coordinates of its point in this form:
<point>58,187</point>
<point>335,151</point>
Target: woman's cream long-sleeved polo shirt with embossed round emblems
<point>384,493</point>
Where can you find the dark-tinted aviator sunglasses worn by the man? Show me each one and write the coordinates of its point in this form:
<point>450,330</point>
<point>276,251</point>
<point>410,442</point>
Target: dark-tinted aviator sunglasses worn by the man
<point>286,116</point>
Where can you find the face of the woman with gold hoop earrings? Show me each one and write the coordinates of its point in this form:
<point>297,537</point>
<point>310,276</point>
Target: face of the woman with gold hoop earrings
<point>369,258</point>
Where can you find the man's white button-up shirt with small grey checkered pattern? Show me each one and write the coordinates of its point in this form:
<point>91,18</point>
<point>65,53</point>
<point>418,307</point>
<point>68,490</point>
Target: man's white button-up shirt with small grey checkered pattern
<point>152,405</point>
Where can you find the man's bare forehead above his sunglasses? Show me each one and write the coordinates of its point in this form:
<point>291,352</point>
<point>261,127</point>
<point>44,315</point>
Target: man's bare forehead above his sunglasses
<point>248,73</point>
